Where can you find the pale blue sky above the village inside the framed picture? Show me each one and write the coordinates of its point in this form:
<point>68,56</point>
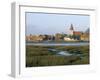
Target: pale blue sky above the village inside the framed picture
<point>44,23</point>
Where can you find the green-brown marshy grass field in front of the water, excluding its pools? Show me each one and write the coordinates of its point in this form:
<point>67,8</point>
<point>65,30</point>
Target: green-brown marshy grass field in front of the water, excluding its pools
<point>41,55</point>
